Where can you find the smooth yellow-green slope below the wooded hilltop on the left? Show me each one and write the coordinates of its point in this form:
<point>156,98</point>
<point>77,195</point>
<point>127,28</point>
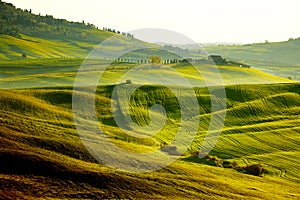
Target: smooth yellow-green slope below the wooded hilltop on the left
<point>12,48</point>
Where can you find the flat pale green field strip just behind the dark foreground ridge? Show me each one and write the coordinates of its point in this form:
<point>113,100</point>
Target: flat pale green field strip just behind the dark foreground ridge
<point>62,72</point>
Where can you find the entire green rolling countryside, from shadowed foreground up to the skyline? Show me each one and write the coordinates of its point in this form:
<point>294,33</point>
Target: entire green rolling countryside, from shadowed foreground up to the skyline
<point>44,64</point>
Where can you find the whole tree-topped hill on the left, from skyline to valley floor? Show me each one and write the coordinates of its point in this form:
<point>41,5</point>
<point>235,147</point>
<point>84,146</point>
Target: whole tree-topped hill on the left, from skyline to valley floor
<point>24,34</point>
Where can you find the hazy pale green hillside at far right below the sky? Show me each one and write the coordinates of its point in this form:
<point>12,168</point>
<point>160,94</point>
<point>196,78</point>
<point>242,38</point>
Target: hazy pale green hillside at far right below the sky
<point>280,58</point>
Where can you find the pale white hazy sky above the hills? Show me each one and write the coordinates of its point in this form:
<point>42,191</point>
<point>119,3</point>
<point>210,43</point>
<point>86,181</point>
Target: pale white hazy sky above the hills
<point>242,21</point>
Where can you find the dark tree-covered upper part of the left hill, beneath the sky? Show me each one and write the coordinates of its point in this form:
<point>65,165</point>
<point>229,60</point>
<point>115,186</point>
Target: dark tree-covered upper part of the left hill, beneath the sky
<point>17,22</point>
